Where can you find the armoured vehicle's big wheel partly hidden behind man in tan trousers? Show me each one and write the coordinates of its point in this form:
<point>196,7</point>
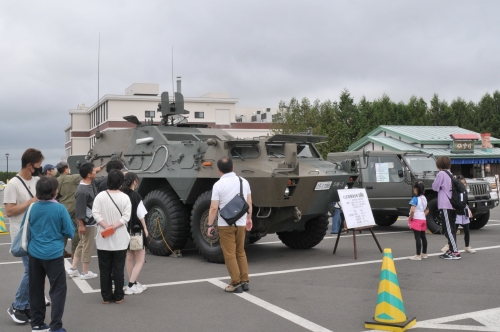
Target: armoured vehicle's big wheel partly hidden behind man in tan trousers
<point>208,247</point>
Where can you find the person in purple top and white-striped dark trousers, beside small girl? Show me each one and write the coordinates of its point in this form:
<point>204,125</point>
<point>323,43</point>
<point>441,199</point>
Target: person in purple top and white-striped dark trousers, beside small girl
<point>443,186</point>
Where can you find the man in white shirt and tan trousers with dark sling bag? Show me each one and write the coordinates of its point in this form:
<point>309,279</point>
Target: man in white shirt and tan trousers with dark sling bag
<point>232,238</point>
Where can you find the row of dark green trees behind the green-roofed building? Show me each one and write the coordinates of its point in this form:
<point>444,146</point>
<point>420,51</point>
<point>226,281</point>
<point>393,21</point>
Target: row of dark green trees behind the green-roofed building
<point>344,122</point>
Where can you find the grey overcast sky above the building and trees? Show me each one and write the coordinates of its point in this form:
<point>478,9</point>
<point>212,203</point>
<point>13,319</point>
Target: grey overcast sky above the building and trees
<point>260,52</point>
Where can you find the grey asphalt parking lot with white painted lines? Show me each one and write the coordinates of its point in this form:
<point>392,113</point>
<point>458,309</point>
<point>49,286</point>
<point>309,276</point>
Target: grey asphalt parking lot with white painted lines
<point>291,290</point>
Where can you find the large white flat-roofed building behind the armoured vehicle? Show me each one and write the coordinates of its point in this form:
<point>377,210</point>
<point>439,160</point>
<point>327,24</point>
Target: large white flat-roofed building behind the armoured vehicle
<point>217,110</point>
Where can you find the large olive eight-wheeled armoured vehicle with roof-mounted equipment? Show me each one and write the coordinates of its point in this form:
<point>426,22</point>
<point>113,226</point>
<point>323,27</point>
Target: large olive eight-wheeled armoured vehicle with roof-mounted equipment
<point>176,163</point>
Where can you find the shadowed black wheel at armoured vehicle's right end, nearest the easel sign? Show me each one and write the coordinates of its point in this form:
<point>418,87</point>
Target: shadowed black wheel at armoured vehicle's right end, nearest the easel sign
<point>313,233</point>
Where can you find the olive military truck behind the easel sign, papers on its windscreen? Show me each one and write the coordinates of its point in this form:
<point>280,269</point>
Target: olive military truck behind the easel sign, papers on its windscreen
<point>389,176</point>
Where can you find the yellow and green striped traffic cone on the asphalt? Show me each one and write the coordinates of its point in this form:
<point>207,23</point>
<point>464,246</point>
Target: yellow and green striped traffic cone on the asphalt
<point>390,312</point>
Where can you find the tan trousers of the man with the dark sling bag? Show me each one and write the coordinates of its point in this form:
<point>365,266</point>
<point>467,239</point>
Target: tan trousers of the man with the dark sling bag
<point>232,241</point>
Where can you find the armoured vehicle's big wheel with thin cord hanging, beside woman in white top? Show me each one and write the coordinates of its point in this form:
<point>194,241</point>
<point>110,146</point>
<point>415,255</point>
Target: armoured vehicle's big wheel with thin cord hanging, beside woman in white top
<point>166,221</point>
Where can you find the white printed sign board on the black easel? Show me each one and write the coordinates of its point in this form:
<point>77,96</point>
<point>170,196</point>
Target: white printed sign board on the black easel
<point>356,208</point>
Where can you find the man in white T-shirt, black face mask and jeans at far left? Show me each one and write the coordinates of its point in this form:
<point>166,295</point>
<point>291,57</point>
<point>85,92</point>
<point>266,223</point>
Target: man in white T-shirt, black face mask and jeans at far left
<point>19,193</point>
